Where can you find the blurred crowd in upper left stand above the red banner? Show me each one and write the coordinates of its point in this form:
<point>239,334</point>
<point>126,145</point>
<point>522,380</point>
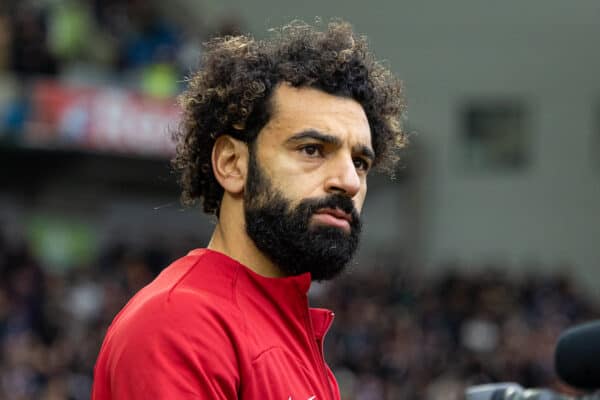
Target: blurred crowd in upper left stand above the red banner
<point>129,43</point>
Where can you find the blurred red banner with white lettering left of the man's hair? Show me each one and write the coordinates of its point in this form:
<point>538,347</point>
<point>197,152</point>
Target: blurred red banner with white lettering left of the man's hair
<point>101,119</point>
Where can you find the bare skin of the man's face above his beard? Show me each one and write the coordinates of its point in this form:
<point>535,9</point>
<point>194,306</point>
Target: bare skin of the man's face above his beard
<point>316,144</point>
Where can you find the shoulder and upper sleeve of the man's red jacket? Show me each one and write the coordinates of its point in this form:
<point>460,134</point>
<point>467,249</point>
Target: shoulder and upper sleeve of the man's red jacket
<point>166,335</point>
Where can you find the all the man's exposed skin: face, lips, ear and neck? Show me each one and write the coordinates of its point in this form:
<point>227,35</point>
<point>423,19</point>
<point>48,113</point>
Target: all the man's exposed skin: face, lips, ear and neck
<point>315,144</point>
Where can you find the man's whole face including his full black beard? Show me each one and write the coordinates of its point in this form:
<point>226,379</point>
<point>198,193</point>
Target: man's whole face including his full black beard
<point>307,181</point>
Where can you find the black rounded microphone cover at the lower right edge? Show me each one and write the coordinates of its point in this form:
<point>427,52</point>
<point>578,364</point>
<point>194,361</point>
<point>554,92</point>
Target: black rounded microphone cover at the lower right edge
<point>577,356</point>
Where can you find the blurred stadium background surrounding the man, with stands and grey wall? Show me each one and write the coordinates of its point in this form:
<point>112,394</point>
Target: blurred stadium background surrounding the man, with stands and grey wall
<point>480,252</point>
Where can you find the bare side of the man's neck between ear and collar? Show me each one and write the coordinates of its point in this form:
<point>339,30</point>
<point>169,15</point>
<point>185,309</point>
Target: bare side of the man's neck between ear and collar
<point>231,239</point>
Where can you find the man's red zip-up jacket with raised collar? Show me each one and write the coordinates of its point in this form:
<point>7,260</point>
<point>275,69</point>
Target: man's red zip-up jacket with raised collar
<point>209,328</point>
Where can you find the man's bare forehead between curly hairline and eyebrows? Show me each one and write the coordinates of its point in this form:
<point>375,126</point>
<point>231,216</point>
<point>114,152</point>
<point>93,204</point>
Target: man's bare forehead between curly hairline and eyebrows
<point>299,109</point>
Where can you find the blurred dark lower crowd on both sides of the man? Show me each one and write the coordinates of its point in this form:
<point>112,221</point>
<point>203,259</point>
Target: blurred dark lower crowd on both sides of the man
<point>396,334</point>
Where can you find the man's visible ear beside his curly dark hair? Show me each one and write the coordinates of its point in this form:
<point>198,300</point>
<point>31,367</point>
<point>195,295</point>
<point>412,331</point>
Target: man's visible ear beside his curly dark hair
<point>230,163</point>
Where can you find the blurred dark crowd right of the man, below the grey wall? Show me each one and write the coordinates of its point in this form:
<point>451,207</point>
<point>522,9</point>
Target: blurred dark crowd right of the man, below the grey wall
<point>399,335</point>
